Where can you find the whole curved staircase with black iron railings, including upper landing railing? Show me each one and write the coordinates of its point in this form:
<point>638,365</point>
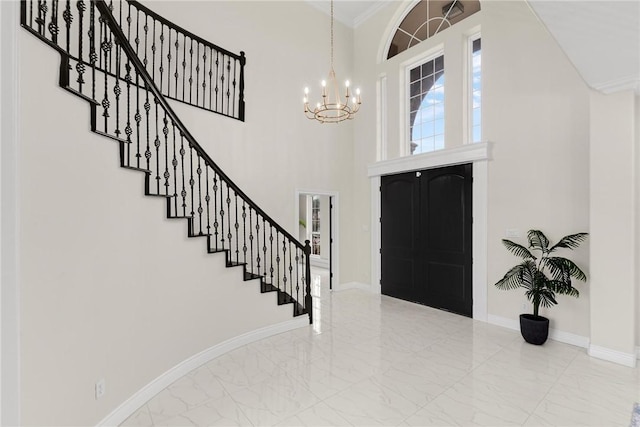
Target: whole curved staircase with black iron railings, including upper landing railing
<point>126,61</point>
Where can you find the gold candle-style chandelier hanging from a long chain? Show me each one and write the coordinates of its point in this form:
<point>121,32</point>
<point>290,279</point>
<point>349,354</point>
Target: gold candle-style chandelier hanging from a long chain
<point>330,109</point>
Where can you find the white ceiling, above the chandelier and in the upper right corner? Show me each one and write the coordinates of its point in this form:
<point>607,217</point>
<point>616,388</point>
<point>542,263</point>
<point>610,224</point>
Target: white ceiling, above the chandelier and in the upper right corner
<point>600,37</point>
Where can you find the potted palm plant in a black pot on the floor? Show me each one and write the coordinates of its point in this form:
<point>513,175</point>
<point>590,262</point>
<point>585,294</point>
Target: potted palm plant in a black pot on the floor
<point>542,277</point>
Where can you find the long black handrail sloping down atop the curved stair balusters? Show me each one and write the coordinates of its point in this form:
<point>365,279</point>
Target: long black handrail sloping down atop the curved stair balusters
<point>123,42</point>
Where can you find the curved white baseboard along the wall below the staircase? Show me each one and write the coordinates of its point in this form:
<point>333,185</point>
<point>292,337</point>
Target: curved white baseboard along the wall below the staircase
<point>131,405</point>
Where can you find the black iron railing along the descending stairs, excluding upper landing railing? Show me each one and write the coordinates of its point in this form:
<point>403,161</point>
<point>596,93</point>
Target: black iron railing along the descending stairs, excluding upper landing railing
<point>128,107</point>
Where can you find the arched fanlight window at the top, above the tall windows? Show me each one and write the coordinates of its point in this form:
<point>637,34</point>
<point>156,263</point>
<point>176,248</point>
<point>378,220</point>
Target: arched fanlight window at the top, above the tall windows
<point>427,18</point>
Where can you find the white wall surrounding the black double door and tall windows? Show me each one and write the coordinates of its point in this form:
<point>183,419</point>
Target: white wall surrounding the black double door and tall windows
<point>535,111</point>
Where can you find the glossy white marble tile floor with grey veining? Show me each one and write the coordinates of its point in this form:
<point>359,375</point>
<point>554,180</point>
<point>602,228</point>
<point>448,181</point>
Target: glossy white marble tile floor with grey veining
<point>371,360</point>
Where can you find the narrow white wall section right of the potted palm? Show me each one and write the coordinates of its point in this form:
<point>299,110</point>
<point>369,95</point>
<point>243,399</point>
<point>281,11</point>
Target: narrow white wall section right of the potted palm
<point>613,219</point>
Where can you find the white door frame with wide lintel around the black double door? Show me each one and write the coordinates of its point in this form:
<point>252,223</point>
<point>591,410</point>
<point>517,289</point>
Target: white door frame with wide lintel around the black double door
<point>478,154</point>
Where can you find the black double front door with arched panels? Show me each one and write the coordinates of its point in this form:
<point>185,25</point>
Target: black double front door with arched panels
<point>426,237</point>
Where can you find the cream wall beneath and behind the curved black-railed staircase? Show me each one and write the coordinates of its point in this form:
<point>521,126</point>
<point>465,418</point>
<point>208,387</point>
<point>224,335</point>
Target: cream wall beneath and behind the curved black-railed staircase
<point>109,288</point>
